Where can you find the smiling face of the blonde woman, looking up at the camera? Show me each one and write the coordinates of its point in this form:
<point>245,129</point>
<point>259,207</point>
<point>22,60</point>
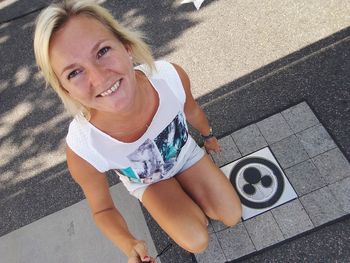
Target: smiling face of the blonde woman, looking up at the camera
<point>93,66</point>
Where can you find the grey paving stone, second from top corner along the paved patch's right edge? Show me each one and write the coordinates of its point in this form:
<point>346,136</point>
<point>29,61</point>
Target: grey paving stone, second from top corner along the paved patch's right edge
<point>316,140</point>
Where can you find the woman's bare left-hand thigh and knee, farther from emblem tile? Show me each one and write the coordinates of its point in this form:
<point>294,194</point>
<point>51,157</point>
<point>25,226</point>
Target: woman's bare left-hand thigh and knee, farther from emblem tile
<point>177,214</point>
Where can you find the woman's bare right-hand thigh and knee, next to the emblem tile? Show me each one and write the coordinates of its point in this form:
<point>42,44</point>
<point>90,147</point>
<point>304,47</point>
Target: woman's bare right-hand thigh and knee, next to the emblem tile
<point>207,185</point>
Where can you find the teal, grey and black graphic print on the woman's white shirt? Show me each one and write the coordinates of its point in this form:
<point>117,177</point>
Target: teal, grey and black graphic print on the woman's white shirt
<point>153,159</point>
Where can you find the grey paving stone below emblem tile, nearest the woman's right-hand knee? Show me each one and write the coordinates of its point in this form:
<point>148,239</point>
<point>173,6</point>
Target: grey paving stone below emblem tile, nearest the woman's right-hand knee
<point>263,230</point>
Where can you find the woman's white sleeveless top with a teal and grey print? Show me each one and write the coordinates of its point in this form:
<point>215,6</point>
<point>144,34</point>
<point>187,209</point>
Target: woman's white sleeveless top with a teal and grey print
<point>158,154</point>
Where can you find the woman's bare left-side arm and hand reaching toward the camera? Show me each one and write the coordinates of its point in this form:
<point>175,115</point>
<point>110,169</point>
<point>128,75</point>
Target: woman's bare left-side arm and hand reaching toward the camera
<point>108,219</point>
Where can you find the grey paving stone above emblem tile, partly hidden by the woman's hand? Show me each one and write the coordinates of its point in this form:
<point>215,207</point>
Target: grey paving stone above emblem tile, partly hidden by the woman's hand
<point>229,152</point>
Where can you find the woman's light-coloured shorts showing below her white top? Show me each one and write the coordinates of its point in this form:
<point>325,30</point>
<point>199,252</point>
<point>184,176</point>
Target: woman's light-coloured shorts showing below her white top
<point>196,155</point>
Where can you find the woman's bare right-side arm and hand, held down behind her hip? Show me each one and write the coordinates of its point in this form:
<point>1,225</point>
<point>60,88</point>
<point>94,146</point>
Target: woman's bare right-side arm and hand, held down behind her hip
<point>194,113</point>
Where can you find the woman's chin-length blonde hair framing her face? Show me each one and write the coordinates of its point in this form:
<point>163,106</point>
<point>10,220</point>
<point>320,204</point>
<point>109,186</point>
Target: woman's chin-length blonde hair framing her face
<point>55,17</point>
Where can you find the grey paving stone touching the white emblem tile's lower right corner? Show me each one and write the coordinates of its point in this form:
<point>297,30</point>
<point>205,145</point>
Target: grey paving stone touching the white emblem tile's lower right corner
<point>292,219</point>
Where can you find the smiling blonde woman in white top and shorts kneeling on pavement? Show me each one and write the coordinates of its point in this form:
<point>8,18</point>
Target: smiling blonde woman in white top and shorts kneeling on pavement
<point>131,119</point>
